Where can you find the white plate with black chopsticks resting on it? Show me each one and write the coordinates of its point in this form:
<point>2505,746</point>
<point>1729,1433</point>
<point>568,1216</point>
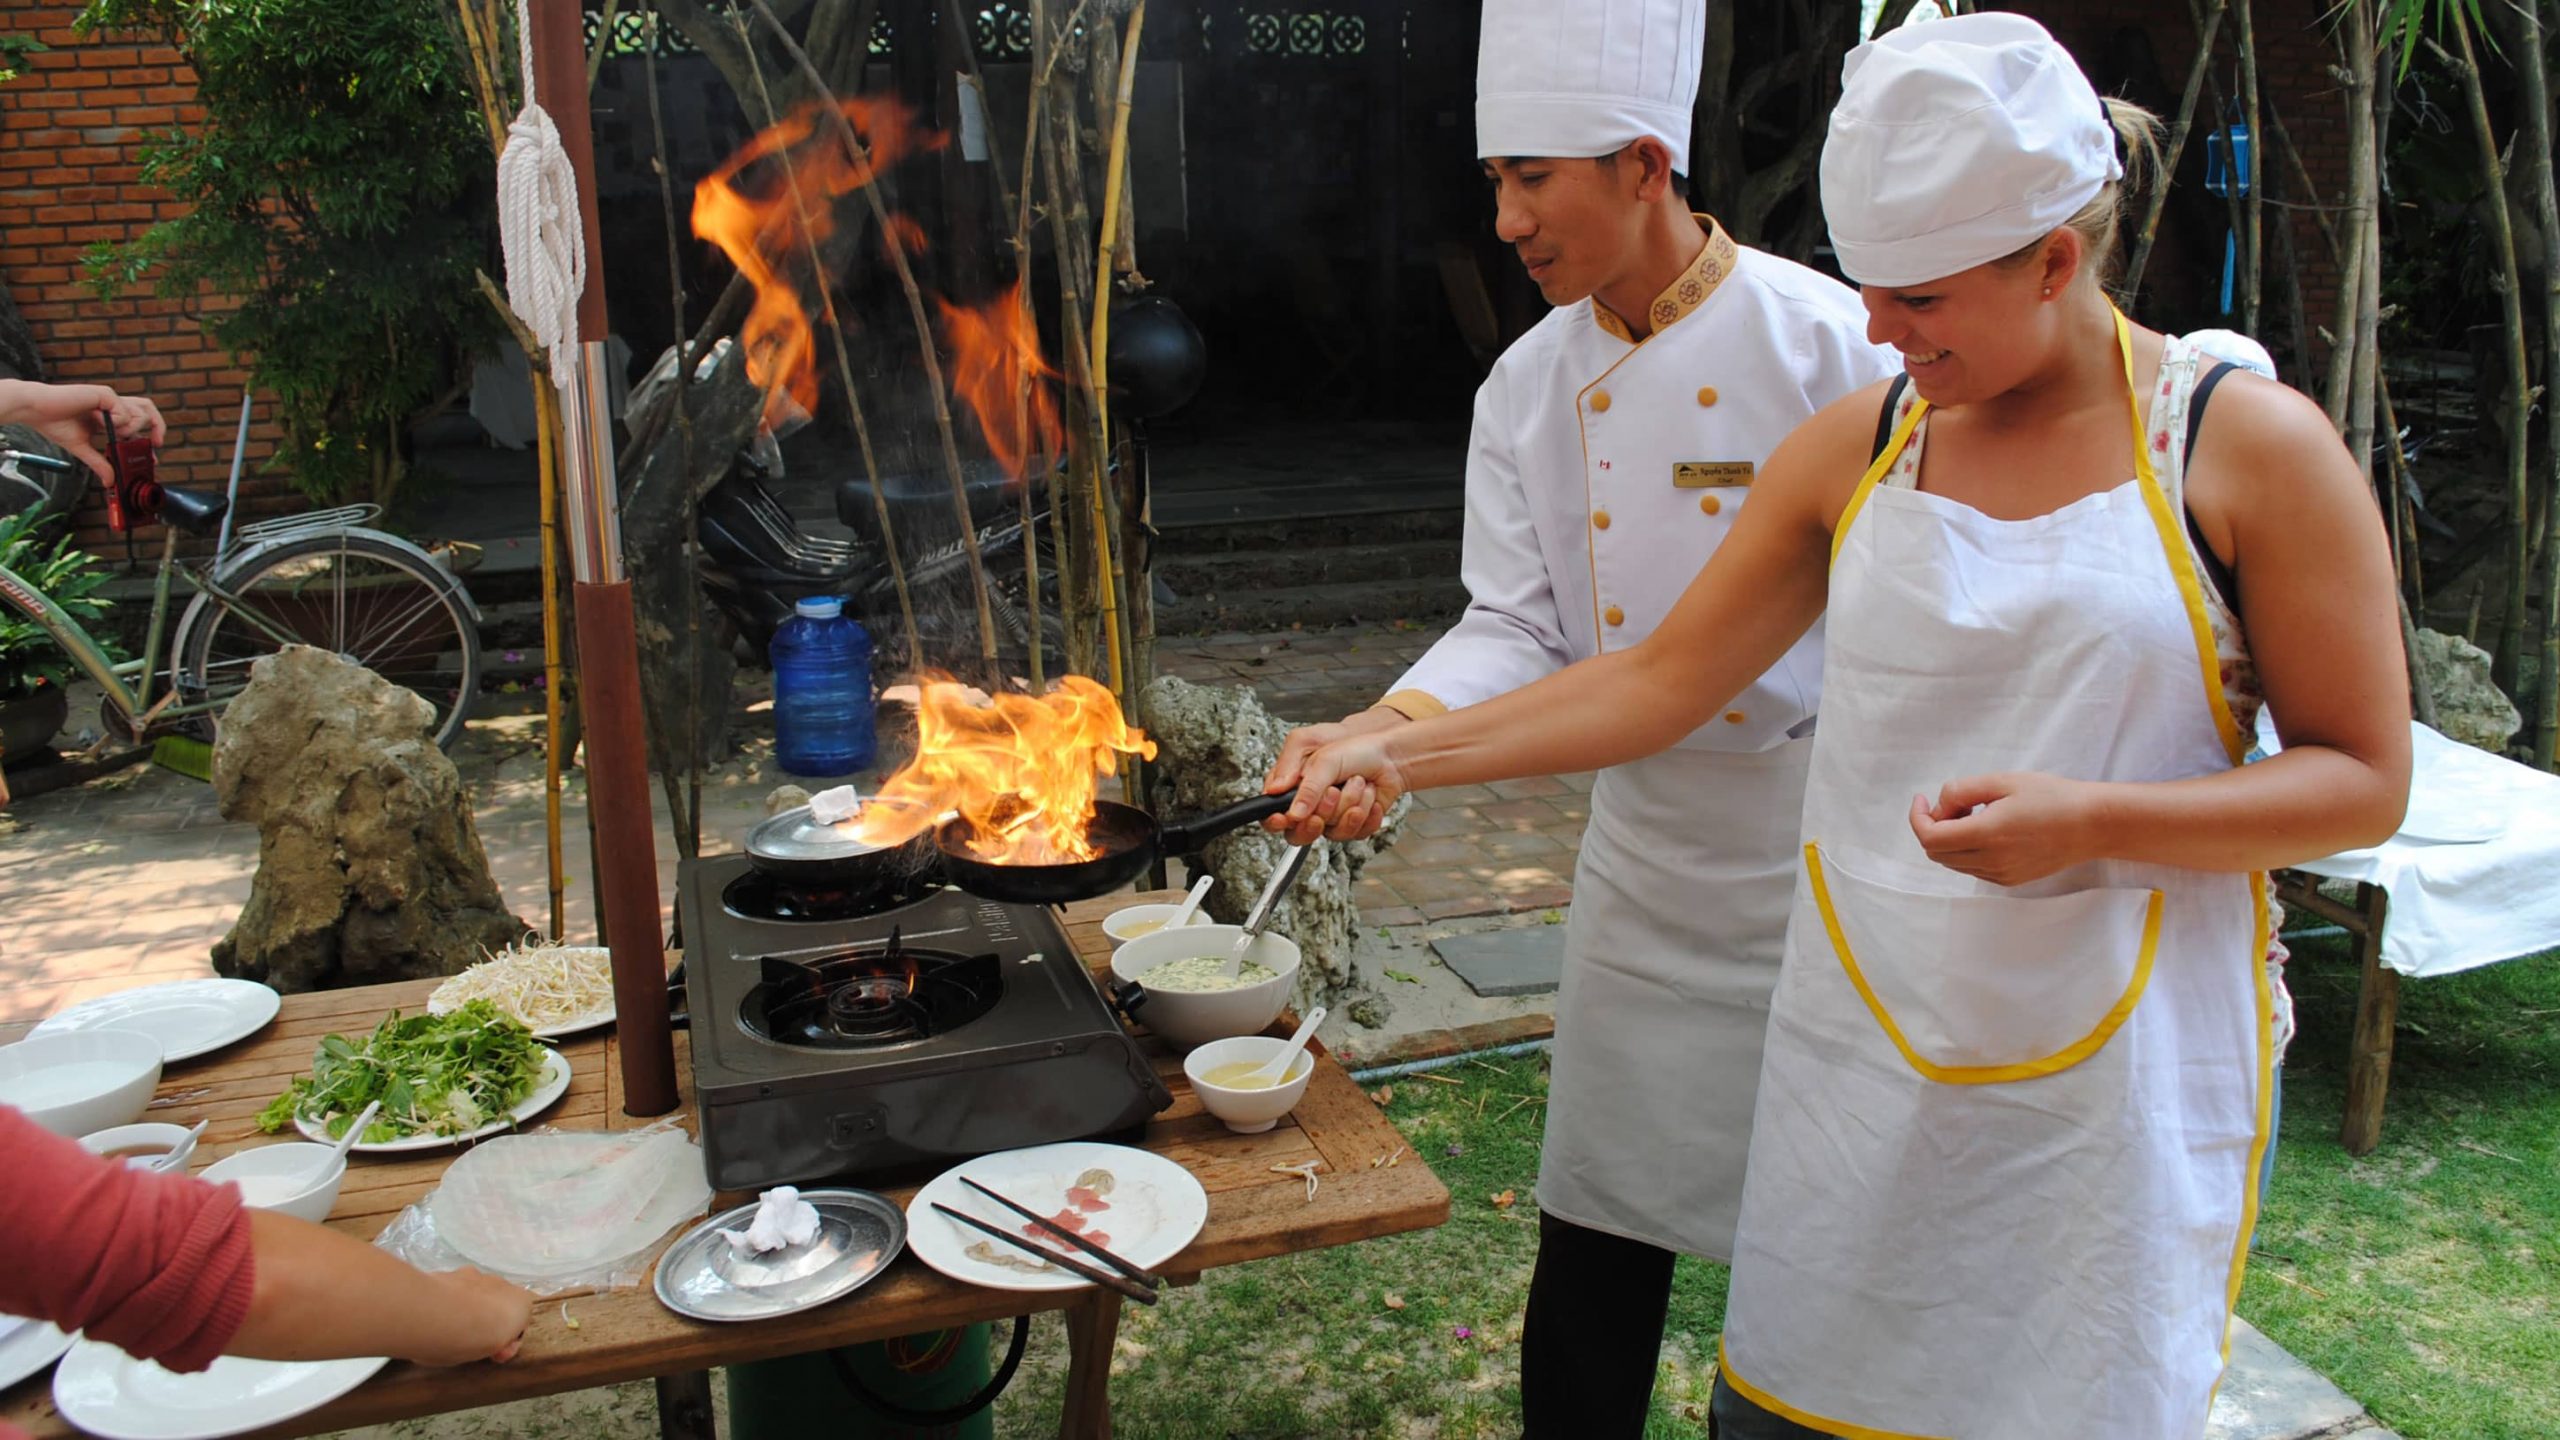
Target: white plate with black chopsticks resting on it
<point>1151,1213</point>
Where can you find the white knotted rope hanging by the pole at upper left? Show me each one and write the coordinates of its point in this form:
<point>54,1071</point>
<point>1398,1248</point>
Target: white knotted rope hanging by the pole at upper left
<point>539,222</point>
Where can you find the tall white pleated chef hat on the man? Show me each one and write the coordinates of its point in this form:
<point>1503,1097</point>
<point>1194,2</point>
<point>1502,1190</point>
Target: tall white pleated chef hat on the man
<point>1588,78</point>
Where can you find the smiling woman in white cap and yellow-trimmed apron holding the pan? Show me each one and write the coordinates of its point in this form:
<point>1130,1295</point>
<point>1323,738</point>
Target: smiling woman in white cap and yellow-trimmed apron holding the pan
<point>2016,1075</point>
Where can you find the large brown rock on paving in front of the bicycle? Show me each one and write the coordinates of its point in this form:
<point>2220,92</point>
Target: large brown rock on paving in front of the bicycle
<point>370,867</point>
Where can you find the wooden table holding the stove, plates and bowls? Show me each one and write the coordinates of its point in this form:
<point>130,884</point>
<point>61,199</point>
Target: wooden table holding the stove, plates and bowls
<point>628,1336</point>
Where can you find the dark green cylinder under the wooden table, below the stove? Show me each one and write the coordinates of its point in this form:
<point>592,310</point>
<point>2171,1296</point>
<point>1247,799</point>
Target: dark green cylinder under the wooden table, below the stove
<point>805,1395</point>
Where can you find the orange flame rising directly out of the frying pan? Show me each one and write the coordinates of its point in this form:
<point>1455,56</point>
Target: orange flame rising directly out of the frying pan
<point>1023,770</point>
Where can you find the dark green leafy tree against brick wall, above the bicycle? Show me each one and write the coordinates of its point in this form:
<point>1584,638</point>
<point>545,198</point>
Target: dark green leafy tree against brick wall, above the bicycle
<point>339,196</point>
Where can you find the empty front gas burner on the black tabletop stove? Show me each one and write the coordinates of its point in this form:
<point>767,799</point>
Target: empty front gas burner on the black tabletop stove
<point>861,998</point>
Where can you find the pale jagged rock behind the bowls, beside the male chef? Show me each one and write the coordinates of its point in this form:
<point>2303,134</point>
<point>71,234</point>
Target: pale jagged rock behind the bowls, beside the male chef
<point>1215,744</point>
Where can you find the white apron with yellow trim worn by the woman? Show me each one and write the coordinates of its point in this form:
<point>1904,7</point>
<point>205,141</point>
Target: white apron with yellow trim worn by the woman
<point>2003,1159</point>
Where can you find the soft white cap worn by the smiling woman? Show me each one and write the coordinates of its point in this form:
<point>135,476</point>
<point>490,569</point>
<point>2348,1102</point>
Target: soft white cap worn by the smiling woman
<point>1960,142</point>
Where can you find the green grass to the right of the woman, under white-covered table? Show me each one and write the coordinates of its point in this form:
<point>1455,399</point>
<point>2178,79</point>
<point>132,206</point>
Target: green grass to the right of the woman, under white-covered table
<point>2426,1277</point>
